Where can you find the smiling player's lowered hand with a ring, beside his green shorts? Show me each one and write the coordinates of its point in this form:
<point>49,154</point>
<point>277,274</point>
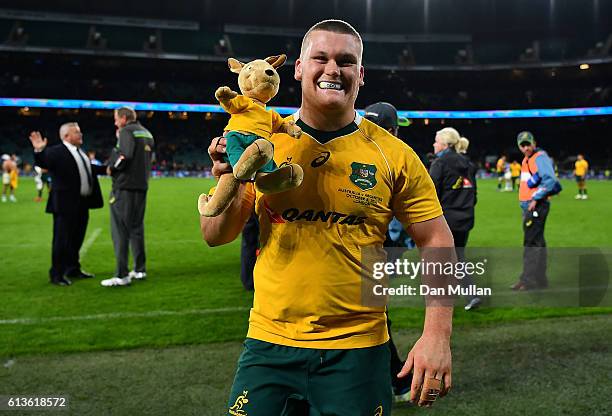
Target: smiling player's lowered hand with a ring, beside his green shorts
<point>430,361</point>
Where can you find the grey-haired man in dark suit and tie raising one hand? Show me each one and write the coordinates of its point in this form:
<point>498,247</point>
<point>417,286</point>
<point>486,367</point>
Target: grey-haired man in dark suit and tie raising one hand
<point>75,190</point>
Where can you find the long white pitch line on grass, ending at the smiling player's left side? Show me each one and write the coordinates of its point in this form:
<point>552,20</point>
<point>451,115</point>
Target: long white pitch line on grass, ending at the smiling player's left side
<point>119,315</point>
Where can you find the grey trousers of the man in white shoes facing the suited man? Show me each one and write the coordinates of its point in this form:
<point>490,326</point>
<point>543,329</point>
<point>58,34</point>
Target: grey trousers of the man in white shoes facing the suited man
<point>127,229</point>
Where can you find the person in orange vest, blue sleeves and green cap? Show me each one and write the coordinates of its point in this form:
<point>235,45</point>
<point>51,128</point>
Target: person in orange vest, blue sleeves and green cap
<point>538,183</point>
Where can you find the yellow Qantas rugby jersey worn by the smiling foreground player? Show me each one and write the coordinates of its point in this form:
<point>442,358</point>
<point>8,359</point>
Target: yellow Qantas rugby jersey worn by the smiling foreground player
<point>308,272</point>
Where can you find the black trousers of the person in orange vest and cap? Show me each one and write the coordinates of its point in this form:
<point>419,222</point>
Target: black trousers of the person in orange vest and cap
<point>535,255</point>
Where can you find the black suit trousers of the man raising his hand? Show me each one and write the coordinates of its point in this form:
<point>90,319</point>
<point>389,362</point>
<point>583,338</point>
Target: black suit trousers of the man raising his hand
<point>68,235</point>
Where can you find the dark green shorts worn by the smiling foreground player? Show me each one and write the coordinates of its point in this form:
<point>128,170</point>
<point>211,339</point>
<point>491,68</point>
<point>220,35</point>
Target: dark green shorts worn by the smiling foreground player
<point>274,380</point>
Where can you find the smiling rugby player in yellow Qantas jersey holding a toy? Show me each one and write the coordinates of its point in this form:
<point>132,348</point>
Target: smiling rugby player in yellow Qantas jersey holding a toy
<point>312,346</point>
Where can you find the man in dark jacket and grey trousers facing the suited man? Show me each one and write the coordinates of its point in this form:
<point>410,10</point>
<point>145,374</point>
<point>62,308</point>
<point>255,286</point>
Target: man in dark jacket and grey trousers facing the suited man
<point>130,168</point>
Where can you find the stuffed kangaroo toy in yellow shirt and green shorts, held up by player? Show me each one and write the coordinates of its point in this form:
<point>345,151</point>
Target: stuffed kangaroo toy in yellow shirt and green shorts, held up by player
<point>249,150</point>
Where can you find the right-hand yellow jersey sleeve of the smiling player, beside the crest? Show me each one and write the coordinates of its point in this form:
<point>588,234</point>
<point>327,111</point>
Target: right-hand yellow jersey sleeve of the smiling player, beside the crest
<point>414,194</point>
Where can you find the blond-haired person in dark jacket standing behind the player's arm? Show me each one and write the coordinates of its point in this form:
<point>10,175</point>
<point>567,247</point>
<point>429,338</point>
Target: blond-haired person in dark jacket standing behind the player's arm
<point>455,179</point>
